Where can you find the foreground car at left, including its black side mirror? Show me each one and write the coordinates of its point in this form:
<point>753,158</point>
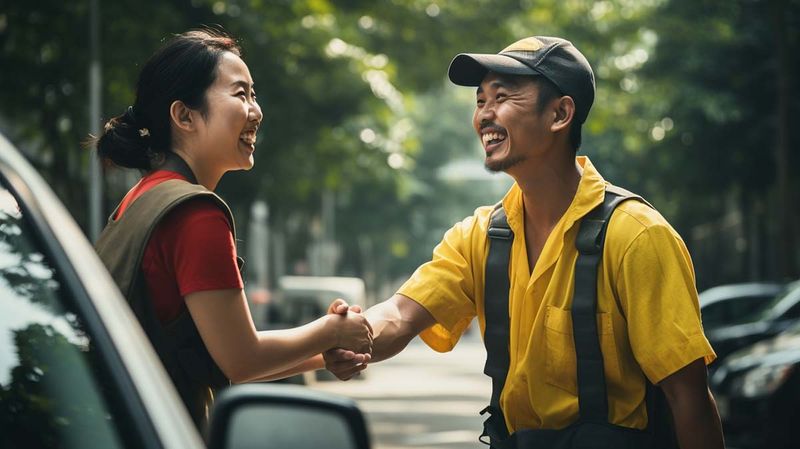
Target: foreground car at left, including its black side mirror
<point>77,371</point>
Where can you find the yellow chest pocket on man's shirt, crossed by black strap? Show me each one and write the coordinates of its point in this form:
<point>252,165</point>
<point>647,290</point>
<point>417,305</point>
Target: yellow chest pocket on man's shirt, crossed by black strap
<point>560,359</point>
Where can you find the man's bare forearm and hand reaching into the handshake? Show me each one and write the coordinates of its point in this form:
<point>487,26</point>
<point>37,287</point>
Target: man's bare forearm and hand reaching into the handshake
<point>395,322</point>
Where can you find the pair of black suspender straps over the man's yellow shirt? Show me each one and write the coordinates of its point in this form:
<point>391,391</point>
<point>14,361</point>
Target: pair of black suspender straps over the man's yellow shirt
<point>592,396</point>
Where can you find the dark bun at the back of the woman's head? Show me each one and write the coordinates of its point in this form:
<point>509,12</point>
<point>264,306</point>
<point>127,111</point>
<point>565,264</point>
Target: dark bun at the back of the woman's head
<point>124,142</point>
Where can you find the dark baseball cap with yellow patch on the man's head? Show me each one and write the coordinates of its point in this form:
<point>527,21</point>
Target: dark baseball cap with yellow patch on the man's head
<point>554,58</point>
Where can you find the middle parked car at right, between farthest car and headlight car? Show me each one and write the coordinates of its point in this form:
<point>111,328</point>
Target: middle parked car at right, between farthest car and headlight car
<point>776,316</point>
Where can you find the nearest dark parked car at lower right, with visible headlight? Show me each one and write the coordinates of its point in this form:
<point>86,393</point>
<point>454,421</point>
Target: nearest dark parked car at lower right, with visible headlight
<point>758,391</point>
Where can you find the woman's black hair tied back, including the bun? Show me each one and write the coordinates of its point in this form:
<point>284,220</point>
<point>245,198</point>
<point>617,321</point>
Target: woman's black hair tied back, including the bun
<point>182,69</point>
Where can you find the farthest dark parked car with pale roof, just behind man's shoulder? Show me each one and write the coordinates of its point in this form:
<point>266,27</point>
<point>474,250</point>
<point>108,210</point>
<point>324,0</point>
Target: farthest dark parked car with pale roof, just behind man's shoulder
<point>729,304</point>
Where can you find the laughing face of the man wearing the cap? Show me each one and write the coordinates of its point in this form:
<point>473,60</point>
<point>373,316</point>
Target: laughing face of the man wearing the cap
<point>507,120</point>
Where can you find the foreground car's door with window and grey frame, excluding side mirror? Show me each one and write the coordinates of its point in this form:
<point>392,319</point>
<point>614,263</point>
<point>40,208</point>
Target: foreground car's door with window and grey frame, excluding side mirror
<point>75,369</point>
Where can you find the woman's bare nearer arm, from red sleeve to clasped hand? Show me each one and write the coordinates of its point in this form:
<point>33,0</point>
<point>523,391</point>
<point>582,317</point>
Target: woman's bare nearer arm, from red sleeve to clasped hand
<point>245,354</point>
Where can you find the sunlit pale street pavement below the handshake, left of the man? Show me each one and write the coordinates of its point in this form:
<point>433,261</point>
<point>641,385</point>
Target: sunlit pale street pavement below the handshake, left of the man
<point>422,399</point>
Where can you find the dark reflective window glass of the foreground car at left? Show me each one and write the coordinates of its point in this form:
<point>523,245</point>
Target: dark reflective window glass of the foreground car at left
<point>53,393</point>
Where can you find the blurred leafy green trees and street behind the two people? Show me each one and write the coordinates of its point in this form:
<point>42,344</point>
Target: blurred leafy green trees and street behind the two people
<point>366,154</point>
